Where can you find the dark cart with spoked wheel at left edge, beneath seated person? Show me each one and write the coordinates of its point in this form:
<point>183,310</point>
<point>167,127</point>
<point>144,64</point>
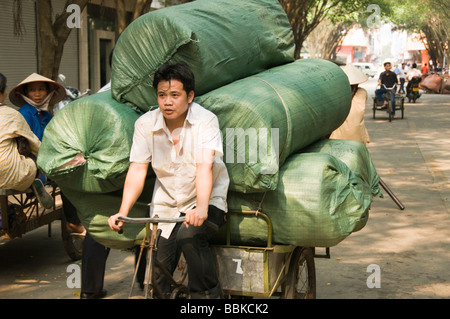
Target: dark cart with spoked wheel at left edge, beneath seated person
<point>22,213</point>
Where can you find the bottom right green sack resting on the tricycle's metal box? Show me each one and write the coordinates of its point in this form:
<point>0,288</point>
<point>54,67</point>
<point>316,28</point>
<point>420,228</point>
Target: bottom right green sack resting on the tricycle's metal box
<point>318,203</point>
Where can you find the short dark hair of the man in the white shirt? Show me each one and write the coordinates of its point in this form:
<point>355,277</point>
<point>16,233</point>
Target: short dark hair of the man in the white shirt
<point>178,71</point>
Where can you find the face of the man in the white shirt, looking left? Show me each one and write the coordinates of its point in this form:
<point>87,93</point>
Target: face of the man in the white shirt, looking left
<point>173,100</point>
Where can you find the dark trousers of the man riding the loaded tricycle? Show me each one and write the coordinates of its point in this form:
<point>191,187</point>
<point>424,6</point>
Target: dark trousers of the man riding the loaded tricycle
<point>193,242</point>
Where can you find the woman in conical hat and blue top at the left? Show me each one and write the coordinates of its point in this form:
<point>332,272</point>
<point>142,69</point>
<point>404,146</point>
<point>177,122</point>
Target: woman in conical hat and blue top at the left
<point>34,95</point>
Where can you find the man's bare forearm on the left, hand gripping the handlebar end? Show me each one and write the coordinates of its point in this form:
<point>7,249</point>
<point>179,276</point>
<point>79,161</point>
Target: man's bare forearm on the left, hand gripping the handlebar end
<point>134,184</point>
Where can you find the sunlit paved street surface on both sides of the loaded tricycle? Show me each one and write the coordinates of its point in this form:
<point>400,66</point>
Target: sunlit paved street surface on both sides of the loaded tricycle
<point>410,247</point>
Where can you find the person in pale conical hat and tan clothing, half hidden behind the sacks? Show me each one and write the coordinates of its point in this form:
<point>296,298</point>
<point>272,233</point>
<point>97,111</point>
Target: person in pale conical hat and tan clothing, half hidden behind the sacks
<point>354,127</point>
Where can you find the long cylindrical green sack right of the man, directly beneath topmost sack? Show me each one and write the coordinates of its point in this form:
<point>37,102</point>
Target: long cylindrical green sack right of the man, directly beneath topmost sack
<point>301,102</point>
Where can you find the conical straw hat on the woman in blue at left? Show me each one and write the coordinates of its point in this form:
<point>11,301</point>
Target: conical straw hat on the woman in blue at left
<point>16,97</point>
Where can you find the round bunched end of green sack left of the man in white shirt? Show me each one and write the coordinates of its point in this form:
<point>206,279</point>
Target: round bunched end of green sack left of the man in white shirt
<point>98,131</point>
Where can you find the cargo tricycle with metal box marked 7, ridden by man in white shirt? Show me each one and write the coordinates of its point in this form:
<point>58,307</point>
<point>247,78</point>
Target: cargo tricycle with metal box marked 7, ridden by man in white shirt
<point>271,270</point>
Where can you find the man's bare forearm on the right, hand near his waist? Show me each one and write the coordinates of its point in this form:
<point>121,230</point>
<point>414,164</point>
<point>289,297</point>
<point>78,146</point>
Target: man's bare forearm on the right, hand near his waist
<point>203,185</point>
